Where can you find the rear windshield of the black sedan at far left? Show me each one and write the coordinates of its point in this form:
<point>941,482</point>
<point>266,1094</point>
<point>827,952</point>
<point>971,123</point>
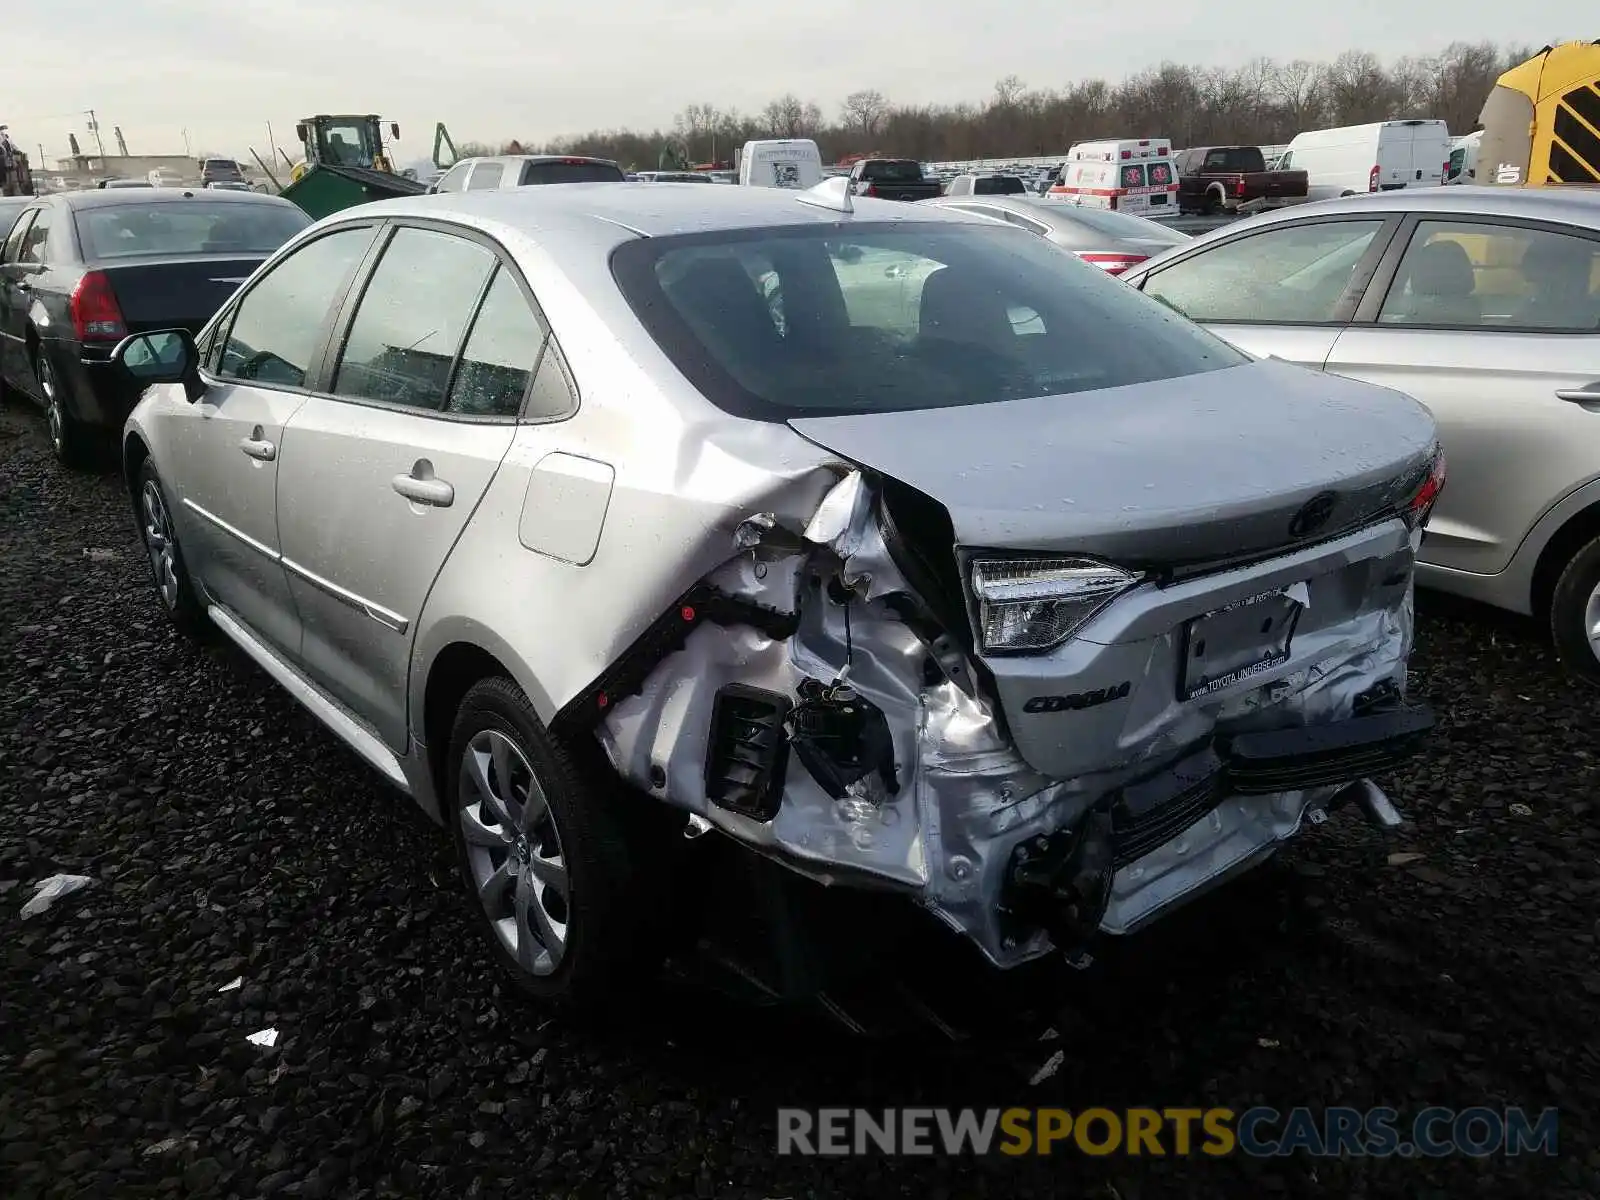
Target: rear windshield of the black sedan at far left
<point>186,228</point>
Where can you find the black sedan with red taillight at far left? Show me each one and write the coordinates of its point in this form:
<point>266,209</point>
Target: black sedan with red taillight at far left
<point>81,271</point>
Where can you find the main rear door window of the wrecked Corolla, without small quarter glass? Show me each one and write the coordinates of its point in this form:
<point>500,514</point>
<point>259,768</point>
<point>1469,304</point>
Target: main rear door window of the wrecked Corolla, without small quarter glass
<point>412,319</point>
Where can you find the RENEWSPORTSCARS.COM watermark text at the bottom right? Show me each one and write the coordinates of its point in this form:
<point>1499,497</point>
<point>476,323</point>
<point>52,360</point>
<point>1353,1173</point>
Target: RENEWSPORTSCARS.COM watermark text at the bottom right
<point>1262,1134</point>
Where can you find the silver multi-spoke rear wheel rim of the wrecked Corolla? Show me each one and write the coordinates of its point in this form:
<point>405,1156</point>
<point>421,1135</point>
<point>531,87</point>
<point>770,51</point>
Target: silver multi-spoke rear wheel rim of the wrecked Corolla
<point>514,852</point>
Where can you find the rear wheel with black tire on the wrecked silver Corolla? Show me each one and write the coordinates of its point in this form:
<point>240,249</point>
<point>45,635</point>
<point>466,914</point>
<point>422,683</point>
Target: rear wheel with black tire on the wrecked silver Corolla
<point>609,938</point>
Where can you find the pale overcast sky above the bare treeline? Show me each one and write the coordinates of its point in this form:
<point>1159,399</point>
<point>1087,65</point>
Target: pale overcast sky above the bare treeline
<point>495,70</point>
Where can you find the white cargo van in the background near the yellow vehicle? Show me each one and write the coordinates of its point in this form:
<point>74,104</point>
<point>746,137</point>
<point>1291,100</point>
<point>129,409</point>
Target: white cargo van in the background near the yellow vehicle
<point>1378,158</point>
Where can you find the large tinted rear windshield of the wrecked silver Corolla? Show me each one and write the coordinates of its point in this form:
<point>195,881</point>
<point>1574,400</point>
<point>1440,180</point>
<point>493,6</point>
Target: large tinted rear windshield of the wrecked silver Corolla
<point>777,324</point>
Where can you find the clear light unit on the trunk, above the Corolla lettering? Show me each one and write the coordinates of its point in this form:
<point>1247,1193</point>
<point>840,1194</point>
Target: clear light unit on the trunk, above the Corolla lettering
<point>1036,604</point>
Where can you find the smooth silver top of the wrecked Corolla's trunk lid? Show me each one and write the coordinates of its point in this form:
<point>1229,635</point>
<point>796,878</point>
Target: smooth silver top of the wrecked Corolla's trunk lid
<point>1194,471</point>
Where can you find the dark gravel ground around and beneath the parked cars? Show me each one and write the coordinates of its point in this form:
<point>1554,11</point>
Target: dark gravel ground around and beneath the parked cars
<point>228,836</point>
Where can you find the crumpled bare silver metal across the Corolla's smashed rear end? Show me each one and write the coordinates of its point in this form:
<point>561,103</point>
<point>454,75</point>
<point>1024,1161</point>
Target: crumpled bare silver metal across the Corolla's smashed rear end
<point>967,796</point>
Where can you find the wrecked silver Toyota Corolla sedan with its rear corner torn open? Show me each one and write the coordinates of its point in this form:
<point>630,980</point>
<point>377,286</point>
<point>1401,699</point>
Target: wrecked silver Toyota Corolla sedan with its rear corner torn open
<point>898,546</point>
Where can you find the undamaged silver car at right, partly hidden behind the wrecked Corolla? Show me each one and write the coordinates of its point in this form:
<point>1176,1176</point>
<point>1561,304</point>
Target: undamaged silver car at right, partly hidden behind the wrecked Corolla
<point>1484,305</point>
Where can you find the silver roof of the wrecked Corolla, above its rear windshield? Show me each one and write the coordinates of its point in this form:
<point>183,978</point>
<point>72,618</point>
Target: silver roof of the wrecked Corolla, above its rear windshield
<point>601,212</point>
